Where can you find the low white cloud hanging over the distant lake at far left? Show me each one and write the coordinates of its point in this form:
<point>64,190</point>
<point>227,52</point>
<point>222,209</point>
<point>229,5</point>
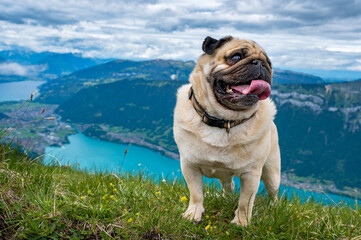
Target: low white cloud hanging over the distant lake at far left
<point>16,69</point>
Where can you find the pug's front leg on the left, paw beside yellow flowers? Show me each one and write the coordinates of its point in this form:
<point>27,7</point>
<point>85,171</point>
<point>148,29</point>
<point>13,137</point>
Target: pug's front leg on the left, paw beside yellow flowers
<point>194,179</point>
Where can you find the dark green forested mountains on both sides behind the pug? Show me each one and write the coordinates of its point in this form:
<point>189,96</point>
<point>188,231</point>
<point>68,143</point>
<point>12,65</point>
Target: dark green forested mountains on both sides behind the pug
<point>319,124</point>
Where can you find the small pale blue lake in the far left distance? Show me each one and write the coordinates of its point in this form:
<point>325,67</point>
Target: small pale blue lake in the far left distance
<point>15,91</point>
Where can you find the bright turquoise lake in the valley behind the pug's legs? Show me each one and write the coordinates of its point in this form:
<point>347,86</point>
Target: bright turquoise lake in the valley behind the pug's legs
<point>93,154</point>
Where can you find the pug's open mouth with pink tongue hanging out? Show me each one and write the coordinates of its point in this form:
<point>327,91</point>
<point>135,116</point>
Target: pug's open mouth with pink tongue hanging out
<point>258,87</point>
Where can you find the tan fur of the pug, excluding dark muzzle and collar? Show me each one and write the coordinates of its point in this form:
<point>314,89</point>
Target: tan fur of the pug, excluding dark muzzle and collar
<point>249,151</point>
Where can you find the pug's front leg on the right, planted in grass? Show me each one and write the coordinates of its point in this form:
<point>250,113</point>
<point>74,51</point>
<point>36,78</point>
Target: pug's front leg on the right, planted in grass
<point>249,187</point>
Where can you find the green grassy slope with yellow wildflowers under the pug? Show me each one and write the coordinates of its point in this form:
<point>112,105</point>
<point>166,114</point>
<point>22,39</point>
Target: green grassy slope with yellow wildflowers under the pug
<point>40,202</point>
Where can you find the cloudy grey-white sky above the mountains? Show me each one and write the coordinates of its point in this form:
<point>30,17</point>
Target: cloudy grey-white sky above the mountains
<point>296,34</point>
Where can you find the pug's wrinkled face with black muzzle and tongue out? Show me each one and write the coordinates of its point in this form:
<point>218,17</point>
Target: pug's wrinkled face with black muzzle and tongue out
<point>241,72</point>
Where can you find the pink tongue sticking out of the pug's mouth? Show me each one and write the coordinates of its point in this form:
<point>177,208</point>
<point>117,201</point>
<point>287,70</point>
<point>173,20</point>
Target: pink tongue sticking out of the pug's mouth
<point>258,87</point>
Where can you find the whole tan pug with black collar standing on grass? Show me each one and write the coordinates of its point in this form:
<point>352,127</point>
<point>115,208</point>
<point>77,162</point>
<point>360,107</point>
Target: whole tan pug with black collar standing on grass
<point>223,124</point>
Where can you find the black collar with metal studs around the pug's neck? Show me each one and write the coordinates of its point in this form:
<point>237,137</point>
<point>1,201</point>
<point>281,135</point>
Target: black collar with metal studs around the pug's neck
<point>213,121</point>
